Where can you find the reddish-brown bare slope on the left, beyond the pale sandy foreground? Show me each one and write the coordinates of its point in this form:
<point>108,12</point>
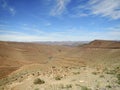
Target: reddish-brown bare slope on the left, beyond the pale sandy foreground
<point>16,54</point>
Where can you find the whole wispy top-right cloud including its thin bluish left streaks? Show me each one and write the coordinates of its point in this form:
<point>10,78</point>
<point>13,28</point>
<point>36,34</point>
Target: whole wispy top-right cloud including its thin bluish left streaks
<point>103,8</point>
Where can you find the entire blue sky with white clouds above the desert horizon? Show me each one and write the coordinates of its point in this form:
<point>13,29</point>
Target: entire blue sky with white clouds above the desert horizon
<point>59,20</point>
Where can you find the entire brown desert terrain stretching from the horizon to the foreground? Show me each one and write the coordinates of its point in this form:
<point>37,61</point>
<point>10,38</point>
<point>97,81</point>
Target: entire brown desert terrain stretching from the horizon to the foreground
<point>76,66</point>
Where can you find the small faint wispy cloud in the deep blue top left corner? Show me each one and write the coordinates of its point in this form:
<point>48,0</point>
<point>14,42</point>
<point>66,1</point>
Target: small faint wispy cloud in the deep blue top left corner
<point>10,9</point>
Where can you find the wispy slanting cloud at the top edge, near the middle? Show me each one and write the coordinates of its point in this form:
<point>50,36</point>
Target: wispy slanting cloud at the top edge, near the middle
<point>60,7</point>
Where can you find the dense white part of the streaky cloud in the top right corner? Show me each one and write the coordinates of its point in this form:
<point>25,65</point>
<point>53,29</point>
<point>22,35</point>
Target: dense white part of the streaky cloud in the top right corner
<point>105,8</point>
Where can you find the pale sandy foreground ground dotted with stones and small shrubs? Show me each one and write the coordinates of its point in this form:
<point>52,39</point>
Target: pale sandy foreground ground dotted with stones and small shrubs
<point>71,78</point>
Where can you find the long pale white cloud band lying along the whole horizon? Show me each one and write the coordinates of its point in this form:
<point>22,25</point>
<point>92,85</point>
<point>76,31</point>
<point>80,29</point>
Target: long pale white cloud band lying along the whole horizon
<point>72,34</point>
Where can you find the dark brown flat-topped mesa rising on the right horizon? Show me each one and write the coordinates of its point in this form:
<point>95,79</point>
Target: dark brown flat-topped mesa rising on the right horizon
<point>103,44</point>
